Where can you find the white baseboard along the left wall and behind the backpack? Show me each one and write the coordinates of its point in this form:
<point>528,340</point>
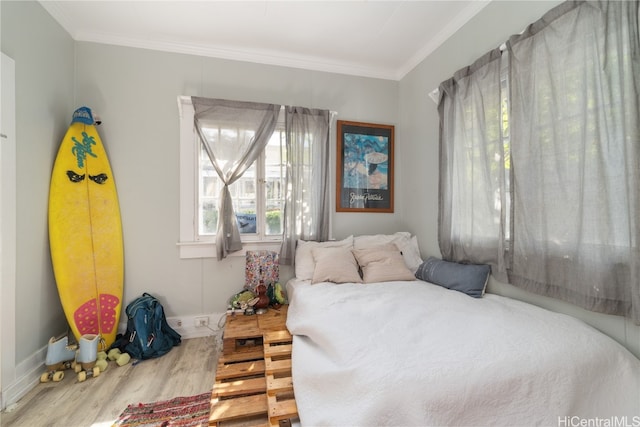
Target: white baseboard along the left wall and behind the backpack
<point>28,371</point>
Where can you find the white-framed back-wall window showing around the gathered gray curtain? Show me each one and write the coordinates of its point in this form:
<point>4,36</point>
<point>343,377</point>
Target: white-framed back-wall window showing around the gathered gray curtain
<point>258,196</point>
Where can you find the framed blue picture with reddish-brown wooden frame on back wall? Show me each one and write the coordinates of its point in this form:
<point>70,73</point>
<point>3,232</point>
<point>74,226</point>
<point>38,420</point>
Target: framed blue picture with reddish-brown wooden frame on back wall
<point>364,176</point>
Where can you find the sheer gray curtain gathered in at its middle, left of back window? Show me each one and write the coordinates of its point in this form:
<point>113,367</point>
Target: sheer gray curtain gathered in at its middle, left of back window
<point>233,133</point>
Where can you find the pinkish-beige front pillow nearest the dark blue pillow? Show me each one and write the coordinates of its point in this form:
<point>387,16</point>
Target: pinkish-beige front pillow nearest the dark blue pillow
<point>382,264</point>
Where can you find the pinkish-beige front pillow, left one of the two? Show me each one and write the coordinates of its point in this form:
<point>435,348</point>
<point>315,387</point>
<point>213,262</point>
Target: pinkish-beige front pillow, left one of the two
<point>335,265</point>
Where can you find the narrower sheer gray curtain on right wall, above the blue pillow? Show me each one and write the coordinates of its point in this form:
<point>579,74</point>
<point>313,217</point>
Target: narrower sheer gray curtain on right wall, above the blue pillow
<point>472,166</point>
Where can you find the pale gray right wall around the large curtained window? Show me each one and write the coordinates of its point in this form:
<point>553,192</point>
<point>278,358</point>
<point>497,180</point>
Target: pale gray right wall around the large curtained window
<point>419,123</point>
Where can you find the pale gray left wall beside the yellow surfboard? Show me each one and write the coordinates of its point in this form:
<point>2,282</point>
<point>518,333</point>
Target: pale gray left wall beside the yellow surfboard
<point>44,88</point>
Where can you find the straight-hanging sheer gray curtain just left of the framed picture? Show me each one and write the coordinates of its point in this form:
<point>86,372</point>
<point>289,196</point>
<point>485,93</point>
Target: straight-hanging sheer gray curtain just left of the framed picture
<point>307,203</point>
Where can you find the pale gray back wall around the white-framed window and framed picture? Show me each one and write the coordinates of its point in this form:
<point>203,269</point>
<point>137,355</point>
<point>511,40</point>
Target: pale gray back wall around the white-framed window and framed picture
<point>135,92</point>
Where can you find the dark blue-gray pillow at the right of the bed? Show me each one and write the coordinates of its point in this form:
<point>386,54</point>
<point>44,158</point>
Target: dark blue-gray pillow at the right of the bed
<point>468,278</point>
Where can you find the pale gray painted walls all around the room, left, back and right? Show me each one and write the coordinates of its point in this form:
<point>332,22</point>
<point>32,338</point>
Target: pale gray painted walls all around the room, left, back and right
<point>137,87</point>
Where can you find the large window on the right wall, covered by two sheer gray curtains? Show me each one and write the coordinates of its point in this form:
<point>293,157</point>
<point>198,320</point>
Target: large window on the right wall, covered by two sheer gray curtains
<point>553,159</point>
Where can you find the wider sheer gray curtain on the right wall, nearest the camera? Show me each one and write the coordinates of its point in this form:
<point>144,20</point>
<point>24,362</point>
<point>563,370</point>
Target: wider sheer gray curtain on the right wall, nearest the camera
<point>575,78</point>
